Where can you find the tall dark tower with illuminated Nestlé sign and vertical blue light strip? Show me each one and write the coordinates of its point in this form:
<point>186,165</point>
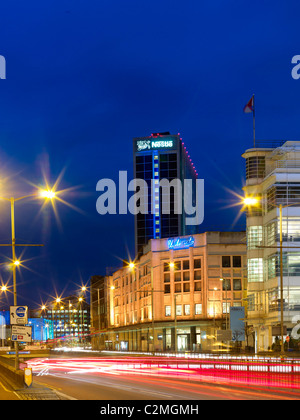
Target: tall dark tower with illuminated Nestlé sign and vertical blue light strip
<point>156,157</point>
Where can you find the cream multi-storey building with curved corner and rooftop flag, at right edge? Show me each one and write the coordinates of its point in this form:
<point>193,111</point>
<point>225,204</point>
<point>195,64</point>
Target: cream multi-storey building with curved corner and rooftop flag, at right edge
<point>273,177</point>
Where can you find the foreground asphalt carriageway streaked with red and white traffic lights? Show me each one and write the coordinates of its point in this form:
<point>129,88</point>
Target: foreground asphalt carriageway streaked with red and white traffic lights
<point>87,379</point>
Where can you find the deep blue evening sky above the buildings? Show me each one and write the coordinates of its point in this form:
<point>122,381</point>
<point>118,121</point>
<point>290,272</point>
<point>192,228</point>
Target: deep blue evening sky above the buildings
<point>85,77</point>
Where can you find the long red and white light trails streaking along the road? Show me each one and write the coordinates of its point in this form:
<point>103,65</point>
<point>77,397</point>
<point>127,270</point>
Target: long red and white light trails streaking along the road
<point>271,375</point>
